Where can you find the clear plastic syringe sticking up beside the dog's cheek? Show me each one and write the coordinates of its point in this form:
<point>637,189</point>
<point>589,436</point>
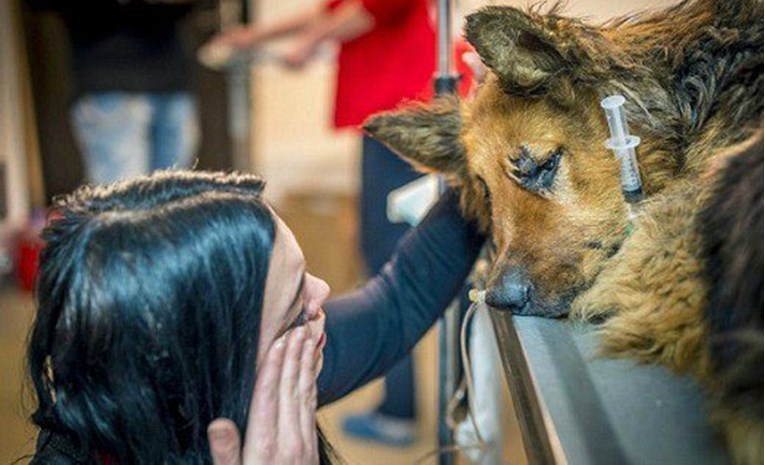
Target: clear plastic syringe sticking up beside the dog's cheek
<point>623,145</point>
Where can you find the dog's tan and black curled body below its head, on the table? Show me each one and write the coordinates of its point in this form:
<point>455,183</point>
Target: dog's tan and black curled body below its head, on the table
<point>685,290</point>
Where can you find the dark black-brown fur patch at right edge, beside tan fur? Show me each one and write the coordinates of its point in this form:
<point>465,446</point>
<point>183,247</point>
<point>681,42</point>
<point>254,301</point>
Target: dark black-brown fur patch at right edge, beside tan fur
<point>731,229</point>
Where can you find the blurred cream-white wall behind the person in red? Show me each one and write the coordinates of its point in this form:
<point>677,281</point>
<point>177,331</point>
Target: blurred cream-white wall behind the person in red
<point>294,143</point>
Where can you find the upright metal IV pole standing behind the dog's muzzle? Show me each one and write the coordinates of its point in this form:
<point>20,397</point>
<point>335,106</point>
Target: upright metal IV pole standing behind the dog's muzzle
<point>445,82</point>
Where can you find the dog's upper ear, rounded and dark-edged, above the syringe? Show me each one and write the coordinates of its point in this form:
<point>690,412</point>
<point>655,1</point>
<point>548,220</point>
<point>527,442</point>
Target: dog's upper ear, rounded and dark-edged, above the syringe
<point>528,52</point>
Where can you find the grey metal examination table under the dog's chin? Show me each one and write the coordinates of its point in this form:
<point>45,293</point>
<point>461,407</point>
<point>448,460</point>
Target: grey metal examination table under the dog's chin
<point>576,408</point>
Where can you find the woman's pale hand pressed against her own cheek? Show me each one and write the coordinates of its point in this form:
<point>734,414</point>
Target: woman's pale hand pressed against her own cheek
<point>281,425</point>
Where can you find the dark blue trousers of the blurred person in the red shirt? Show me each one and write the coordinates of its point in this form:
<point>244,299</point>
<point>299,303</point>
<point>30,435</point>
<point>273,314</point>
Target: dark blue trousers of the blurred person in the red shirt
<point>381,172</point>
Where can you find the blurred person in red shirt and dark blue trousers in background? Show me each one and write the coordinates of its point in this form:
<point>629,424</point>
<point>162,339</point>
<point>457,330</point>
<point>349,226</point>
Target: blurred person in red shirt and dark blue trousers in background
<point>387,56</point>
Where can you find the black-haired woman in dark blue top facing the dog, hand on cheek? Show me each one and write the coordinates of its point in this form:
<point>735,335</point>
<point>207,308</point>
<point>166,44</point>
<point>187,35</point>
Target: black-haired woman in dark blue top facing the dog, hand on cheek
<point>160,300</point>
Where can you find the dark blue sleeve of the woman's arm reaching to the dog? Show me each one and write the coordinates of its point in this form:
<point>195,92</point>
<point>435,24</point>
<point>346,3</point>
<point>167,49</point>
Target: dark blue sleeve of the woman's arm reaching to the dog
<point>369,330</point>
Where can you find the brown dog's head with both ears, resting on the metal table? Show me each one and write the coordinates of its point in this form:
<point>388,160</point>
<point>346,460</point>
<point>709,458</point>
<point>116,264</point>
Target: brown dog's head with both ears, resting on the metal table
<point>528,152</point>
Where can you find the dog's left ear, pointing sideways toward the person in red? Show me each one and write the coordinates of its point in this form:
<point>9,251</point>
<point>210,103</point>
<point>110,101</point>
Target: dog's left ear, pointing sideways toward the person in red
<point>426,135</point>
